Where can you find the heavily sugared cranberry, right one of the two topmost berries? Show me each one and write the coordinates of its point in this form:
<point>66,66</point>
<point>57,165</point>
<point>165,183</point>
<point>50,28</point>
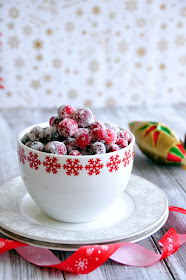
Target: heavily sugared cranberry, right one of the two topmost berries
<point>83,117</point>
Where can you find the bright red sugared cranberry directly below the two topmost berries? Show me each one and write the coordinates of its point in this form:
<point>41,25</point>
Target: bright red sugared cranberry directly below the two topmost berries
<point>67,127</point>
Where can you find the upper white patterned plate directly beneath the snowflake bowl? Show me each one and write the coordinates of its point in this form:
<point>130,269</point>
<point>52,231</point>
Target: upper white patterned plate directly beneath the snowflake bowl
<point>141,209</point>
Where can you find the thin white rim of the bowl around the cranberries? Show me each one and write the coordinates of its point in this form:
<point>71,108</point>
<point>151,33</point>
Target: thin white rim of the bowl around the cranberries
<point>46,124</point>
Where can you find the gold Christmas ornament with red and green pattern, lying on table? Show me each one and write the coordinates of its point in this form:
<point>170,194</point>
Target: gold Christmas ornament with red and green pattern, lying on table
<point>159,142</point>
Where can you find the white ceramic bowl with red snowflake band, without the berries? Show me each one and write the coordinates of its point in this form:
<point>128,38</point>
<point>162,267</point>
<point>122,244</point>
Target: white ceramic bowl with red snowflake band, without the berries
<point>74,188</point>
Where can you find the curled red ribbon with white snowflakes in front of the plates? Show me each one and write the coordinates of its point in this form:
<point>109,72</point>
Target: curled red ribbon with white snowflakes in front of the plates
<point>88,258</point>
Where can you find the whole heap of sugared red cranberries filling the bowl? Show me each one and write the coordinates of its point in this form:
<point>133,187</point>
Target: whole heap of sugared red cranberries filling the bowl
<point>76,132</point>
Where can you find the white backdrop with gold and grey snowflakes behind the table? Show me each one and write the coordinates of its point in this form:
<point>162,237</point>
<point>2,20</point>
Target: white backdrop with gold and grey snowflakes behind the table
<point>92,53</point>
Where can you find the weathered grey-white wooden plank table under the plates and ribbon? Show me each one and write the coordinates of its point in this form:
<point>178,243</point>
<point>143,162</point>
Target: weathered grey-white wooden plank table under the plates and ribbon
<point>171,180</point>
